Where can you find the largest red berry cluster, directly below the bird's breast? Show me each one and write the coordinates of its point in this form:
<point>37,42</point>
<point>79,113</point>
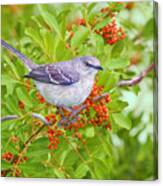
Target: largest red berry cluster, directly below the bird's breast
<point>101,115</point>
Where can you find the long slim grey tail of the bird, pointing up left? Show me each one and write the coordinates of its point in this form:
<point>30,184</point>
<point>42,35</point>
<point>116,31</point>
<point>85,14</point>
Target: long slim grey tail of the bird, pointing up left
<point>28,63</point>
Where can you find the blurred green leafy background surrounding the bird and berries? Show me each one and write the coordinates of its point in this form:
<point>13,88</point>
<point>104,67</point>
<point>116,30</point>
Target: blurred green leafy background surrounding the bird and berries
<point>39,31</point>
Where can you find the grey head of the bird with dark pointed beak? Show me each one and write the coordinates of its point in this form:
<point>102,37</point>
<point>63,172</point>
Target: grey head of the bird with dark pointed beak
<point>88,65</point>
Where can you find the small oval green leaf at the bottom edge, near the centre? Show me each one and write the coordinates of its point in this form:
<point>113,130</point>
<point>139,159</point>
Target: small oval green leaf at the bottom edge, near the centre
<point>81,171</point>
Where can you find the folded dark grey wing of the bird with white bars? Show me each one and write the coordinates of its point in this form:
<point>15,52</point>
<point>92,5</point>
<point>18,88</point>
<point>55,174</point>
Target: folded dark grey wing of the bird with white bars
<point>55,74</point>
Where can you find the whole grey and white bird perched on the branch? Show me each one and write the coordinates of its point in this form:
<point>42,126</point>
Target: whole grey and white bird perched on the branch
<point>64,84</point>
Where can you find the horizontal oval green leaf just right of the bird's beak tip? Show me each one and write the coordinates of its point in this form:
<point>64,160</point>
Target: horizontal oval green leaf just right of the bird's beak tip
<point>118,63</point>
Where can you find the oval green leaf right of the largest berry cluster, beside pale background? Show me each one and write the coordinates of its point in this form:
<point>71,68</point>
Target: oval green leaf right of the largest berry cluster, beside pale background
<point>121,120</point>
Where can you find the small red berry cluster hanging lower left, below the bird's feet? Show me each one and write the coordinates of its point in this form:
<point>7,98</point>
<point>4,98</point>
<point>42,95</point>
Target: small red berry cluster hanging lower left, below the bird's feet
<point>53,136</point>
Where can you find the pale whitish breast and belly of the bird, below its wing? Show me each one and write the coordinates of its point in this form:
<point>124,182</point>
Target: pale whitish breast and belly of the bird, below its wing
<point>69,95</point>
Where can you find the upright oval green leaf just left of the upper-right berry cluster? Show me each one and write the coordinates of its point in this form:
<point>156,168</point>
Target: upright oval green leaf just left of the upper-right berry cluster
<point>79,37</point>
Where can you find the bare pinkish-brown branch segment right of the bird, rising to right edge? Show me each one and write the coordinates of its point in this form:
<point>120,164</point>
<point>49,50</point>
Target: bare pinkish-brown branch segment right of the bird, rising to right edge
<point>136,79</point>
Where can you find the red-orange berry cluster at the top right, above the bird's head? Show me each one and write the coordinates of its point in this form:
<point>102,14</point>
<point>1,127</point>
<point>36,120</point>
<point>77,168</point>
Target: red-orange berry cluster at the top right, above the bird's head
<point>111,33</point>
